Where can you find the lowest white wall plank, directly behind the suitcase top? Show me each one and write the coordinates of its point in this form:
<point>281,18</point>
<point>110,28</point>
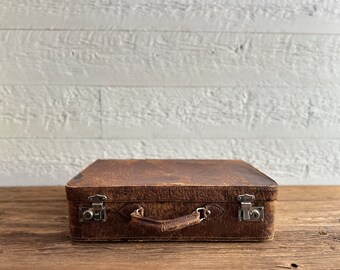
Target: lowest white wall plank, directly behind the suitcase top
<point>48,162</point>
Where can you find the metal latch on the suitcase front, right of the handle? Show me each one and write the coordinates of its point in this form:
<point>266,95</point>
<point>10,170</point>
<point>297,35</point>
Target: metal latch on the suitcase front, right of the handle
<point>248,212</point>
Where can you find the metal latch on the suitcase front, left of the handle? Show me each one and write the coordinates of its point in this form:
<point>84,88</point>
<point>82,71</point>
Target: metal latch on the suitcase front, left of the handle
<point>96,212</point>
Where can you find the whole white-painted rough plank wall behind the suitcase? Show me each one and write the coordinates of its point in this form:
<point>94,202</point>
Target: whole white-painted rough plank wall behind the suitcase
<point>252,80</point>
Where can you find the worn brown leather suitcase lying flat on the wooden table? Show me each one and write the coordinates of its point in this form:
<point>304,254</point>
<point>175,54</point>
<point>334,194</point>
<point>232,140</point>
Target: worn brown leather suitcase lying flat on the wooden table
<point>171,200</point>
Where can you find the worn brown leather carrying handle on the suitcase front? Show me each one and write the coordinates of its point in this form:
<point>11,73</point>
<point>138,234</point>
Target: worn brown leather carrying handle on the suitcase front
<point>168,225</point>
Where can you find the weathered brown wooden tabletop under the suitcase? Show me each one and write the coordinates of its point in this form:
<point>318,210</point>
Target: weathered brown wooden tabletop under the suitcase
<point>34,235</point>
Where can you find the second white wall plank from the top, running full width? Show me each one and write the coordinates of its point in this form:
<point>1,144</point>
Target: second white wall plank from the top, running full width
<point>168,59</point>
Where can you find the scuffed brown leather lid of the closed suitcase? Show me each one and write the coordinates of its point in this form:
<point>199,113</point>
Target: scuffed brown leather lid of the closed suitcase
<point>171,180</point>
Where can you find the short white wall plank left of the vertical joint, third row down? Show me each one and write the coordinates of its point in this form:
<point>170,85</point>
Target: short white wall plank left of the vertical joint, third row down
<point>49,112</point>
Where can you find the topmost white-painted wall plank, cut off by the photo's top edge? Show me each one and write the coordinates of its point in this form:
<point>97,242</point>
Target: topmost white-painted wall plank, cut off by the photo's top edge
<point>174,15</point>
